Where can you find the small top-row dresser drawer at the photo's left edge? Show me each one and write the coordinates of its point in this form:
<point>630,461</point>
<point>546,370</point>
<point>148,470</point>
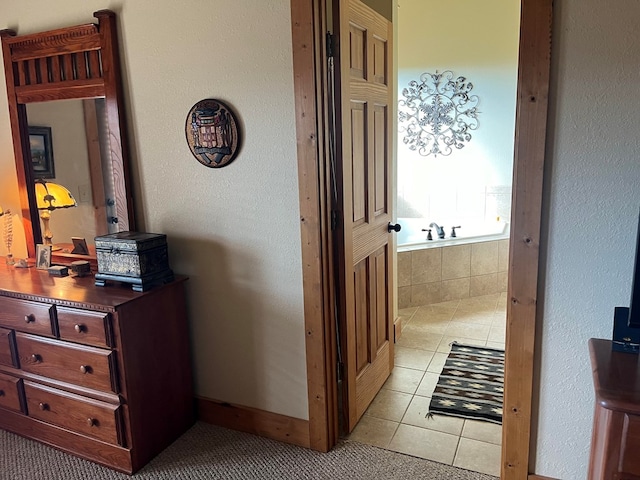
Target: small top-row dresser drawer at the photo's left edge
<point>26,316</point>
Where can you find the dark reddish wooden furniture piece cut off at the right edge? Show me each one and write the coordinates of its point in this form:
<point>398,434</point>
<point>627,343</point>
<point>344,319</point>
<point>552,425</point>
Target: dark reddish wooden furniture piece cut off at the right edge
<point>615,440</point>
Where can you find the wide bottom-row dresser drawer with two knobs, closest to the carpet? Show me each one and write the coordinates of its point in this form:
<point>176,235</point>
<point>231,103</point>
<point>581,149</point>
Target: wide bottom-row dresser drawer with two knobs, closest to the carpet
<point>83,415</point>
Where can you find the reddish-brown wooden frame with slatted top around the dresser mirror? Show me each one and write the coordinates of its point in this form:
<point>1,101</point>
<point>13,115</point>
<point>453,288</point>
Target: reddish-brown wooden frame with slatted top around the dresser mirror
<point>79,62</point>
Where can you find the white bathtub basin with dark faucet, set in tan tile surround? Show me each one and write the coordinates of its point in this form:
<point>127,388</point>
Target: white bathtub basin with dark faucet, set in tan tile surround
<point>411,237</point>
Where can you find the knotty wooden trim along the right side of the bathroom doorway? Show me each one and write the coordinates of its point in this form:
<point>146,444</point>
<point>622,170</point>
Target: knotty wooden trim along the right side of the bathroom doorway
<point>524,247</point>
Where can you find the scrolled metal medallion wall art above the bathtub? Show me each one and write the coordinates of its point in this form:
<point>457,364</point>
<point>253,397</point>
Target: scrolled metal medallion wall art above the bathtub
<point>437,113</point>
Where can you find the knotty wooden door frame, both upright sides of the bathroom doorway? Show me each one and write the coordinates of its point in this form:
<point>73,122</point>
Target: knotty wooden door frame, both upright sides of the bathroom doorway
<point>308,20</point>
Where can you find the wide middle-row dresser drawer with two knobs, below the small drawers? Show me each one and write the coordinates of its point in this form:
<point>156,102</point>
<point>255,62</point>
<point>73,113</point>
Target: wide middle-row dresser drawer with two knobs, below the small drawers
<point>85,366</point>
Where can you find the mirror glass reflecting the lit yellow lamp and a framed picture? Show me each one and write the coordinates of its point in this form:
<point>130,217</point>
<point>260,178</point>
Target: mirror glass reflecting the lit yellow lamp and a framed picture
<point>68,141</point>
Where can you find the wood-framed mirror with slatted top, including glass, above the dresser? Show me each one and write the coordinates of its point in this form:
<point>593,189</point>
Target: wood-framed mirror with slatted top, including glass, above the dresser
<point>65,104</point>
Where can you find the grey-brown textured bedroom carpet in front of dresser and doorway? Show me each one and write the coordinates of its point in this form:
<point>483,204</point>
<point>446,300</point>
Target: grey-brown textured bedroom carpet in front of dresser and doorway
<point>210,452</point>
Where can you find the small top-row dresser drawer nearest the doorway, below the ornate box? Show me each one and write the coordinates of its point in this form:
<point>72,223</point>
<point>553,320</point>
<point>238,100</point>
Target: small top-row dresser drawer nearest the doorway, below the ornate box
<point>82,326</point>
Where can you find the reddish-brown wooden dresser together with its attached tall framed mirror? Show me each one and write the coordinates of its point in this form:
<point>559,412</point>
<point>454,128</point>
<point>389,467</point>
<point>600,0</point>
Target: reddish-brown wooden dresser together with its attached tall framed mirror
<point>99,372</point>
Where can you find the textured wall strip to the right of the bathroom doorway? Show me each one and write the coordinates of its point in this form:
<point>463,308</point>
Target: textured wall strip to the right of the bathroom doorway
<point>592,199</point>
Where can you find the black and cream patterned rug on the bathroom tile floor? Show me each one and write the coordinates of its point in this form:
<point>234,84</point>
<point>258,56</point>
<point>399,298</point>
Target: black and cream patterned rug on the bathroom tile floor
<point>471,384</point>
